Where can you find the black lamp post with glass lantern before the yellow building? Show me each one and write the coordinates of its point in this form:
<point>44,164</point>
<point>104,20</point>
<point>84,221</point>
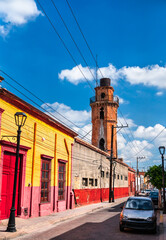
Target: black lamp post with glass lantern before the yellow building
<point>20,119</point>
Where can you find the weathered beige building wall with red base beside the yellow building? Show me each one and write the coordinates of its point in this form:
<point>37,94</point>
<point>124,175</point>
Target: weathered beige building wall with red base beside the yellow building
<point>91,172</point>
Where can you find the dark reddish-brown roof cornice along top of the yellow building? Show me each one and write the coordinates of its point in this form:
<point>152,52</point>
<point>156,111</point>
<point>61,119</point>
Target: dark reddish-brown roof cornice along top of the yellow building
<point>28,108</point>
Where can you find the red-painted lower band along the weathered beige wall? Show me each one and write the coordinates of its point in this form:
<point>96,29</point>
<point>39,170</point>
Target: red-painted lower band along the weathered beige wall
<point>89,196</point>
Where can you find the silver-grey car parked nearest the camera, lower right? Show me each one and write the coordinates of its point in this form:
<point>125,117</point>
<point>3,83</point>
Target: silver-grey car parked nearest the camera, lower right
<point>138,213</point>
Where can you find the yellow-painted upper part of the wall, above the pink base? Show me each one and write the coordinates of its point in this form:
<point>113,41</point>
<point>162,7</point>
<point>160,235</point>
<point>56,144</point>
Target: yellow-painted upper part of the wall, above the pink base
<point>45,143</point>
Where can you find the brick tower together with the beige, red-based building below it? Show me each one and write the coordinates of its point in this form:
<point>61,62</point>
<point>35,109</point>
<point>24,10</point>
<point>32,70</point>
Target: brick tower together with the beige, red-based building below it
<point>91,162</point>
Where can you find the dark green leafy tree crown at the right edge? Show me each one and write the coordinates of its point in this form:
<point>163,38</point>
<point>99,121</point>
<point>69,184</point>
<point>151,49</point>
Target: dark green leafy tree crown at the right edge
<point>154,175</point>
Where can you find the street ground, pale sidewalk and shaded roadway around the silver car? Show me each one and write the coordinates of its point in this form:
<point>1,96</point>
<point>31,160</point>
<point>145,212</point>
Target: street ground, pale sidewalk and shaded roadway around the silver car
<point>95,221</point>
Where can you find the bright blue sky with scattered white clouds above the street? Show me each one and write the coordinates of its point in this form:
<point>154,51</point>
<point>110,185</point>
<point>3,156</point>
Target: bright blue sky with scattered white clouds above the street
<point>128,38</point>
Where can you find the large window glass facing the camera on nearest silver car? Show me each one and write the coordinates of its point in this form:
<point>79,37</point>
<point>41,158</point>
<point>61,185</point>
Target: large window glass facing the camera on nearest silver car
<point>139,204</point>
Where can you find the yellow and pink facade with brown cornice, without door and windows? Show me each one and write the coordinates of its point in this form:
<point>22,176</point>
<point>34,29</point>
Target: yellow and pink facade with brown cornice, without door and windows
<point>41,136</point>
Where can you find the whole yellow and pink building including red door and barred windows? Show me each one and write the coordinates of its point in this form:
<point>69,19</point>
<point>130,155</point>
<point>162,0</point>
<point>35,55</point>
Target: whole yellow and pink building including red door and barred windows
<point>45,160</point>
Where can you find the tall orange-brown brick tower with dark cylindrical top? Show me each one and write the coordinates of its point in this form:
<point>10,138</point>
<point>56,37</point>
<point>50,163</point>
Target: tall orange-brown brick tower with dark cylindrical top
<point>104,114</point>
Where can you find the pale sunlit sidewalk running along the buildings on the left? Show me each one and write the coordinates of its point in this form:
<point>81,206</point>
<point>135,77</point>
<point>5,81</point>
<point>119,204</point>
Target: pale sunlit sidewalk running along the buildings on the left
<point>41,224</point>
